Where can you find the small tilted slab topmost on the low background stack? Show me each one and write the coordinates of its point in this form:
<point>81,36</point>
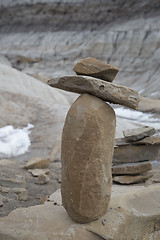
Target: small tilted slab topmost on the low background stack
<point>138,133</point>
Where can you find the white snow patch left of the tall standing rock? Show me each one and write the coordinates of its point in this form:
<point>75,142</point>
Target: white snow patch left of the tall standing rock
<point>14,142</point>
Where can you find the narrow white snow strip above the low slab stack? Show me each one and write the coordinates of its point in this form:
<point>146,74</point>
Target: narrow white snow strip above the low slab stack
<point>147,119</point>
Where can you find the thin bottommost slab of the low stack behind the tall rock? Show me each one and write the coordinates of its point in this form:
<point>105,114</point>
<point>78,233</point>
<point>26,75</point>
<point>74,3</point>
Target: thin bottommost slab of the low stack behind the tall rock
<point>128,179</point>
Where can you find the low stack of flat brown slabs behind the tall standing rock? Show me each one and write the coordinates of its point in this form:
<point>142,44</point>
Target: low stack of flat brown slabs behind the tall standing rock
<point>132,155</point>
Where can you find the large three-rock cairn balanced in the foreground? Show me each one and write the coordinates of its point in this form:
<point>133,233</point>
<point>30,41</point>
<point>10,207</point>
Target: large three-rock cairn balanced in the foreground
<point>88,137</point>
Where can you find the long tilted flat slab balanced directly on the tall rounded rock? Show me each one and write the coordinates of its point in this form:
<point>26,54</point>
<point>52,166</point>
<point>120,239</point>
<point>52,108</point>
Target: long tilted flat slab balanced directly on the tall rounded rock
<point>106,91</point>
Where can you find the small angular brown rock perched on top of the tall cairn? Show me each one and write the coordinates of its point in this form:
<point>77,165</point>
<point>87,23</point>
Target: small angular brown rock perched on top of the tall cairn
<point>96,68</point>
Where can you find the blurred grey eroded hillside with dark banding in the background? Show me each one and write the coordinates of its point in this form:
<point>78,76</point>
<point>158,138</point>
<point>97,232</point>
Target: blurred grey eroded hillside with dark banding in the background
<point>46,38</point>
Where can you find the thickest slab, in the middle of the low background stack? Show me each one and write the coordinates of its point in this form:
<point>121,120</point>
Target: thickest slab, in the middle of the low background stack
<point>136,153</point>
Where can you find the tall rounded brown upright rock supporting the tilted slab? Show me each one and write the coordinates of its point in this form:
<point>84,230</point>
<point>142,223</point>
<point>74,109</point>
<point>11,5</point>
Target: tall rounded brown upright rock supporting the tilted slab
<point>87,150</point>
